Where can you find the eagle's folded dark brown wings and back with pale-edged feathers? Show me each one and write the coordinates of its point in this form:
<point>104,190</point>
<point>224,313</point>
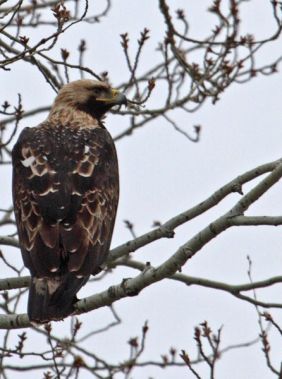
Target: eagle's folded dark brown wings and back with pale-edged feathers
<point>65,189</point>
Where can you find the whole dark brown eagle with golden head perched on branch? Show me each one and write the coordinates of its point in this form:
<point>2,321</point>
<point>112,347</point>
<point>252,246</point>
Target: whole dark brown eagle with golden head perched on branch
<point>65,194</point>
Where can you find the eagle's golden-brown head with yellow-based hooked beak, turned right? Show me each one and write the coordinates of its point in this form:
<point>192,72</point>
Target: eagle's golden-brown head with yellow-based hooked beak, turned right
<point>90,96</point>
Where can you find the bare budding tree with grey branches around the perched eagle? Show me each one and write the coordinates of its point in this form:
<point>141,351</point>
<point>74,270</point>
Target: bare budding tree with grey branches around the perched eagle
<point>187,71</point>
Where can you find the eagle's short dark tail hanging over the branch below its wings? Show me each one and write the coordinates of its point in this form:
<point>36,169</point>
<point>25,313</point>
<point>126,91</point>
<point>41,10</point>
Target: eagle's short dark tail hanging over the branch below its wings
<point>53,298</point>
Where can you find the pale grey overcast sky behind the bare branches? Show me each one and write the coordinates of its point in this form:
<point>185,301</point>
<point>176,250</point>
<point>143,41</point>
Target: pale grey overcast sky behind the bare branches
<point>163,174</point>
